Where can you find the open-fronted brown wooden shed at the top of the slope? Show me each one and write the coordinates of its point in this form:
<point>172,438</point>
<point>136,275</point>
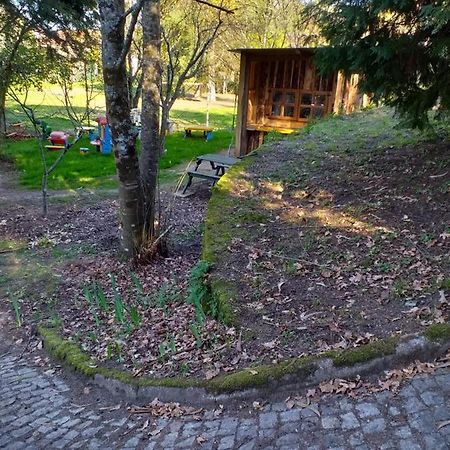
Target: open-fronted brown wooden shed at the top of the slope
<point>281,90</point>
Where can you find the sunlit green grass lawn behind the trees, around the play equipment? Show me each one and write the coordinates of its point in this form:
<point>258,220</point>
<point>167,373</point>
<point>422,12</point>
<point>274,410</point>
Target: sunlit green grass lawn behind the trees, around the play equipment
<point>94,170</point>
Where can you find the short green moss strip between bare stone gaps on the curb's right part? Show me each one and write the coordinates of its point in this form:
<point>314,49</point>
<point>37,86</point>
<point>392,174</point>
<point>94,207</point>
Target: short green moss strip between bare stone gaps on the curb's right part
<point>363,353</point>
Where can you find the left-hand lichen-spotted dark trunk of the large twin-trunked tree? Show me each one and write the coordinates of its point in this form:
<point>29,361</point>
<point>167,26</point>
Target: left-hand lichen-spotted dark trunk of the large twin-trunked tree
<point>123,133</point>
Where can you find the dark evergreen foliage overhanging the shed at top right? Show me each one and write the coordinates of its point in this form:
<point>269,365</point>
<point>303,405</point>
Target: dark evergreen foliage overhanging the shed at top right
<point>399,47</point>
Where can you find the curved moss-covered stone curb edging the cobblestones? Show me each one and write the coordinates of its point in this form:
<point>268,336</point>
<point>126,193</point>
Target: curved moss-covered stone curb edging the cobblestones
<point>252,382</point>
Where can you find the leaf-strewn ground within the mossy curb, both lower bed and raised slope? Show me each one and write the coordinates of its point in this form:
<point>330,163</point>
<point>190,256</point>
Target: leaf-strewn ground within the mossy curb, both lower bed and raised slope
<point>351,245</point>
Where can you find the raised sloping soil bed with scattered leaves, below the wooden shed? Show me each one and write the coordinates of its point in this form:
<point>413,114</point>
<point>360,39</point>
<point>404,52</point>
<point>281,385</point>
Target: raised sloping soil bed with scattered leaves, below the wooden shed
<point>337,239</point>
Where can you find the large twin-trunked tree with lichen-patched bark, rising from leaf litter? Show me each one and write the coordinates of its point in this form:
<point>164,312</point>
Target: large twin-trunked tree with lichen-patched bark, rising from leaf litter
<point>137,175</point>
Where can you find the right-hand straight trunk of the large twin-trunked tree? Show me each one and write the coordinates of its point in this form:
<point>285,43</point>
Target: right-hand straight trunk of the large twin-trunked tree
<point>150,134</point>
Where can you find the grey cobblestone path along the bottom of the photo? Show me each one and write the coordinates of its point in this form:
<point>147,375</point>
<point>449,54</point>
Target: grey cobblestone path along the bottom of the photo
<point>39,410</point>
